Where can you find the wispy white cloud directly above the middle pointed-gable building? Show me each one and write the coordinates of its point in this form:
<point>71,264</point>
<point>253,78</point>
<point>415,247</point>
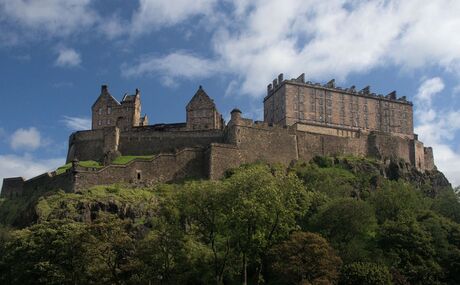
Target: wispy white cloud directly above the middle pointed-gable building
<point>174,65</point>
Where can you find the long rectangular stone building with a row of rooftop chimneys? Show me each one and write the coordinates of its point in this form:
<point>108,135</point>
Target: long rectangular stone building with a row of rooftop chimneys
<point>291,101</point>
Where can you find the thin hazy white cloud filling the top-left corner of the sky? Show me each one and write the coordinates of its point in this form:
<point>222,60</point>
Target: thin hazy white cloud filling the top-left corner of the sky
<point>56,17</point>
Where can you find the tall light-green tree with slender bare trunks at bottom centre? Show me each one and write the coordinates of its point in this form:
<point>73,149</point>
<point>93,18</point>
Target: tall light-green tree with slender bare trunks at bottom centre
<point>262,208</point>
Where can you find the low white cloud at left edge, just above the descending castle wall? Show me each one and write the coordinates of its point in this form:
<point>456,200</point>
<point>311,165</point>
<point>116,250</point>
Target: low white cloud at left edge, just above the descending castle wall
<point>26,166</point>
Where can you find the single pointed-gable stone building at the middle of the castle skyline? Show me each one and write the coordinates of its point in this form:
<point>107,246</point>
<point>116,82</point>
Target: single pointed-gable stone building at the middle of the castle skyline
<point>202,113</point>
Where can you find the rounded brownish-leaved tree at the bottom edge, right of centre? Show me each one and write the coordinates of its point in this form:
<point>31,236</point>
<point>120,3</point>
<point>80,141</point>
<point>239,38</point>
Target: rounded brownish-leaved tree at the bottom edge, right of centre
<point>306,258</point>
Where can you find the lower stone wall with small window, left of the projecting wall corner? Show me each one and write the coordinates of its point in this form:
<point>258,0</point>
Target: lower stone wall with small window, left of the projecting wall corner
<point>187,163</point>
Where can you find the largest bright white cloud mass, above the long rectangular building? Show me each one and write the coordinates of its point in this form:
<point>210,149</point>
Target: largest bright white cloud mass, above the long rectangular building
<point>261,38</point>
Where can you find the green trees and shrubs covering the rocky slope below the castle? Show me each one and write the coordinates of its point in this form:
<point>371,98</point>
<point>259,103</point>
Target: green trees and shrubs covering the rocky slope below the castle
<point>330,221</point>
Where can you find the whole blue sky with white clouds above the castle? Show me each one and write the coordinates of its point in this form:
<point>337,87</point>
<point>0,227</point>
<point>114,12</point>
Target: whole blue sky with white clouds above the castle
<point>55,55</point>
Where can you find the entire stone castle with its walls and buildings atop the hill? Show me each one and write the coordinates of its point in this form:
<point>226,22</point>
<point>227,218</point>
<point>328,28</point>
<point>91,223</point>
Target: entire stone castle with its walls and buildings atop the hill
<point>301,120</point>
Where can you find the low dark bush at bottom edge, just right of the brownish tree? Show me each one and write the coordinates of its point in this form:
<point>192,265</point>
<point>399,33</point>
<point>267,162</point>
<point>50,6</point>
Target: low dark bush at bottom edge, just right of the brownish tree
<point>364,273</point>
